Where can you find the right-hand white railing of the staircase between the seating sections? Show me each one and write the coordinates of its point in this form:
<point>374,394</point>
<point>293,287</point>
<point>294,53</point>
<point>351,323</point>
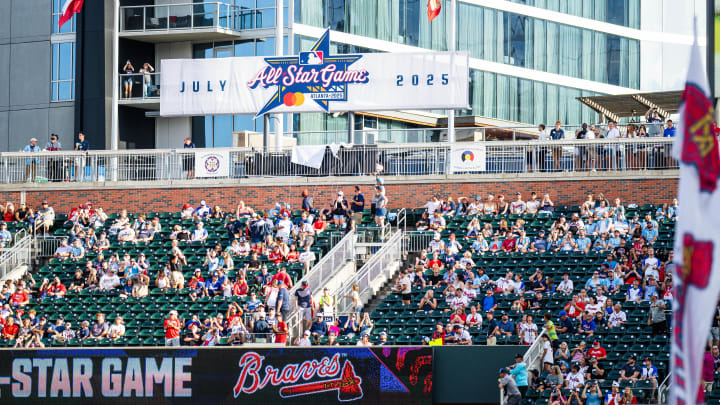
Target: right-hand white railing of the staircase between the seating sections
<point>378,264</point>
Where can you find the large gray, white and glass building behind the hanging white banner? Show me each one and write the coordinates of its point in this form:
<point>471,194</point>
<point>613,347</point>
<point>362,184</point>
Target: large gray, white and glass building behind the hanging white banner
<point>529,61</point>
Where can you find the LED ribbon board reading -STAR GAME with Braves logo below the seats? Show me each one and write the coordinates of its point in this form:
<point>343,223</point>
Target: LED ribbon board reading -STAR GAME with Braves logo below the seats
<point>356,375</point>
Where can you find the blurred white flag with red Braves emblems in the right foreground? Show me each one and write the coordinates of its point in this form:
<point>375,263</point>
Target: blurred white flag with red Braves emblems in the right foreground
<point>697,235</point>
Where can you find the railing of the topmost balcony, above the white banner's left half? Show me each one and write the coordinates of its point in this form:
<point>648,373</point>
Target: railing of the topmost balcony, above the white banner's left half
<point>183,16</point>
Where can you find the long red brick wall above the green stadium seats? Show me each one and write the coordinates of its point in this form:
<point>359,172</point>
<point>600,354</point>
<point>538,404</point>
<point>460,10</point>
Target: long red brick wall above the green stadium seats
<point>567,192</point>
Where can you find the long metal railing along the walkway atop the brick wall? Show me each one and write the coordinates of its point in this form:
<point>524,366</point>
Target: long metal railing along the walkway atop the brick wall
<point>396,159</point>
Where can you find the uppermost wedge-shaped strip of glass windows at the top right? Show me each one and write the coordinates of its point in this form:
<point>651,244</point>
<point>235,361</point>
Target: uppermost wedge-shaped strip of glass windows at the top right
<point>620,12</point>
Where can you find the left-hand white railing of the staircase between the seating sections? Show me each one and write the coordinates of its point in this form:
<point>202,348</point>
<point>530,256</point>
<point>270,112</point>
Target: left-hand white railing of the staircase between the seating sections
<point>323,270</point>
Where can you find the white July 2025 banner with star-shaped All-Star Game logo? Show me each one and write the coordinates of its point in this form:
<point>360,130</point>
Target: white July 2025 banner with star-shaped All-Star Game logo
<point>314,81</point>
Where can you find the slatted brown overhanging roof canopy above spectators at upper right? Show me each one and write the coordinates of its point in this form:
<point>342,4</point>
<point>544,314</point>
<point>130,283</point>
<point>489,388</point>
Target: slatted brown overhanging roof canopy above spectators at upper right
<point>634,105</point>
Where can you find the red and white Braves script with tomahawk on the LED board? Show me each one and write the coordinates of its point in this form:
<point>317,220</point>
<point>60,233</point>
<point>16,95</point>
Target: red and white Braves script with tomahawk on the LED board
<point>347,384</point>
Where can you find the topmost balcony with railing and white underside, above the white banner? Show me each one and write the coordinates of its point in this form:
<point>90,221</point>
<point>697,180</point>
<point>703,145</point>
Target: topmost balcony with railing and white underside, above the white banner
<point>205,21</point>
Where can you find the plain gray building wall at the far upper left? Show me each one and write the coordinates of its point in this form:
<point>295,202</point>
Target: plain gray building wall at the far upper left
<point>25,73</point>
